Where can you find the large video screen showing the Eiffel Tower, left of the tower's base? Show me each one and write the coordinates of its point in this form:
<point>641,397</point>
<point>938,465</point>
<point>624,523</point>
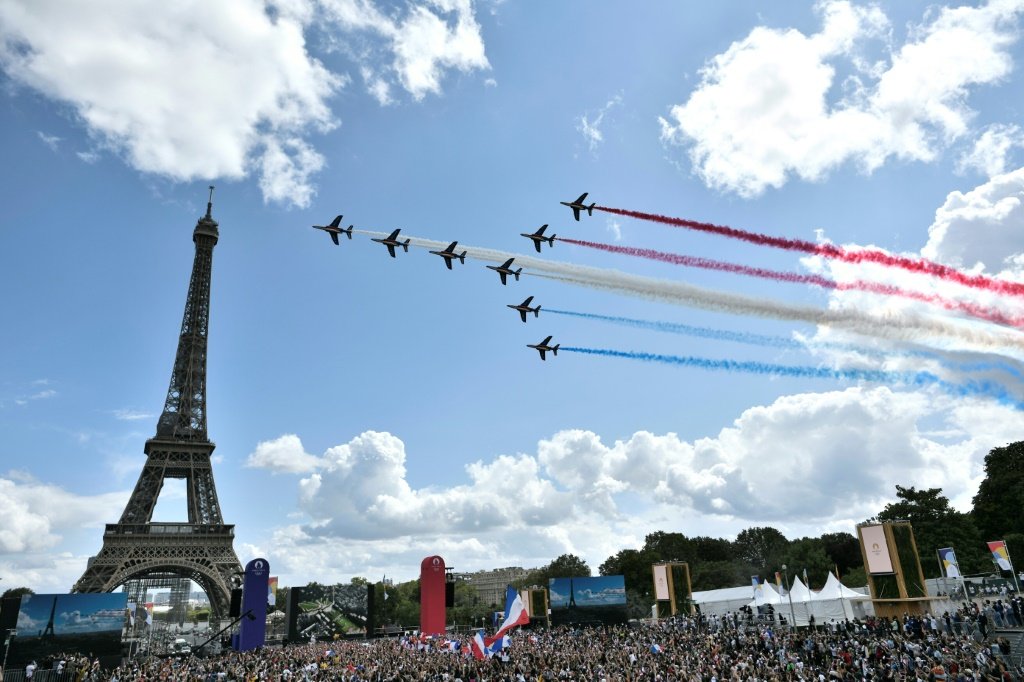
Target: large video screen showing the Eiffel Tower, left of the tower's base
<point>50,624</point>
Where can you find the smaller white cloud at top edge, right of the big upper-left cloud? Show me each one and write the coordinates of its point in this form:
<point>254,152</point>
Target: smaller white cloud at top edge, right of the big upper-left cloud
<point>428,40</point>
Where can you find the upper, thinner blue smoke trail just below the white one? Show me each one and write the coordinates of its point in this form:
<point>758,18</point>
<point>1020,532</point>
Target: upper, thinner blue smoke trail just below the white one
<point>785,343</point>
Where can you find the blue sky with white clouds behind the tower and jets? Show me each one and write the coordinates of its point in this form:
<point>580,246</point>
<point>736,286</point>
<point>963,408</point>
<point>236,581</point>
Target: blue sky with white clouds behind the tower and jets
<point>370,412</point>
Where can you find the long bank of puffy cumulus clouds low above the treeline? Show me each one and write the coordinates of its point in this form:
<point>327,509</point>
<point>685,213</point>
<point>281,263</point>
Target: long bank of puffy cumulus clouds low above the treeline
<point>805,463</point>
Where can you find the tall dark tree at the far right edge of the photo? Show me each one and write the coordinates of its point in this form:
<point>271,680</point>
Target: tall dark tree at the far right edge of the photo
<point>999,506</point>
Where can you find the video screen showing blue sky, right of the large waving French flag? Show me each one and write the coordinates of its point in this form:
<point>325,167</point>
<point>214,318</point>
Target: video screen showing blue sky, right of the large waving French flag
<point>588,601</point>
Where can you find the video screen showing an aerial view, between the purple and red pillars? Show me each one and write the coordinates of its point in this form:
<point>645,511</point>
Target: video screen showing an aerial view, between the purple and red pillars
<point>327,612</point>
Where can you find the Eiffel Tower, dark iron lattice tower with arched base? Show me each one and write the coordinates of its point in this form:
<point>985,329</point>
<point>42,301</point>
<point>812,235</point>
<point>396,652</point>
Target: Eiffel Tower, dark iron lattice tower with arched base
<point>201,549</point>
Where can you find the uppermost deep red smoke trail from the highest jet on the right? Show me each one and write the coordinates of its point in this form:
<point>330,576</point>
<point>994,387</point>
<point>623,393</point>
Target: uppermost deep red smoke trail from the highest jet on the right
<point>920,266</point>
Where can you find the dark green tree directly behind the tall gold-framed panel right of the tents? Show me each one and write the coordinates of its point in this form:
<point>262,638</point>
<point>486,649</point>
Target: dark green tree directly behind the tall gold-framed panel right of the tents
<point>936,525</point>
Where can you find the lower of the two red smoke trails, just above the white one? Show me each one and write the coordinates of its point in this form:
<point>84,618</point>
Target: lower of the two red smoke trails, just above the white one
<point>974,310</point>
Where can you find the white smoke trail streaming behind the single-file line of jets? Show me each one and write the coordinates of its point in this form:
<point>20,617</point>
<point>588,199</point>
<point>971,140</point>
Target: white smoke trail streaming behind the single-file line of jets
<point>902,327</point>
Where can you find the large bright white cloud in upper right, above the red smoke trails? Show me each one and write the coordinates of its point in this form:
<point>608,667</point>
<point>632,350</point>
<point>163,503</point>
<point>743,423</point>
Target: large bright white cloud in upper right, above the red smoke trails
<point>762,112</point>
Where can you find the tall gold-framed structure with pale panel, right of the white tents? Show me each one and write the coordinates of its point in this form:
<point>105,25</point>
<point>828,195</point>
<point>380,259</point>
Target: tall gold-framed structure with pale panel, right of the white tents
<point>894,576</point>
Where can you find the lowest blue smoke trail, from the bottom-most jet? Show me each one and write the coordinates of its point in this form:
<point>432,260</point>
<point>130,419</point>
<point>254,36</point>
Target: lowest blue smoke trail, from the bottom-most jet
<point>916,379</point>
